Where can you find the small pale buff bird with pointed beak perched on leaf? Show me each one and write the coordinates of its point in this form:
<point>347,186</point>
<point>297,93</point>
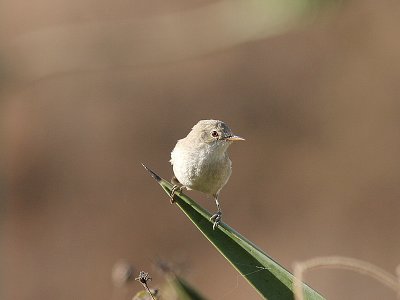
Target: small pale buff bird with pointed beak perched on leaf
<point>200,161</point>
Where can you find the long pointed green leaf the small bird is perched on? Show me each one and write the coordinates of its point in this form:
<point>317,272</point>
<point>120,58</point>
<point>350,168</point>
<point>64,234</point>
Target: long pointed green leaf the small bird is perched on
<point>270,279</point>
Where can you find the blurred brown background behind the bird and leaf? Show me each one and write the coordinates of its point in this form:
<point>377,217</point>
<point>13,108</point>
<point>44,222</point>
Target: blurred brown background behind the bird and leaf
<point>90,89</point>
